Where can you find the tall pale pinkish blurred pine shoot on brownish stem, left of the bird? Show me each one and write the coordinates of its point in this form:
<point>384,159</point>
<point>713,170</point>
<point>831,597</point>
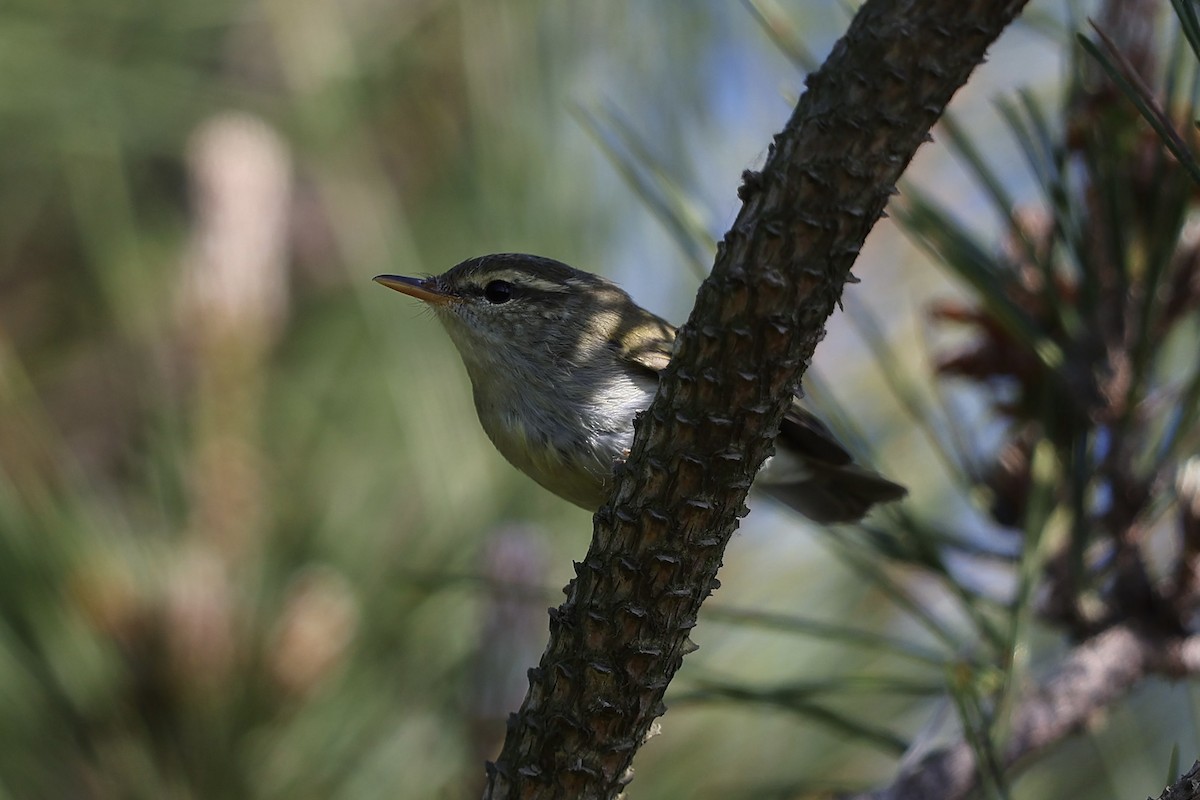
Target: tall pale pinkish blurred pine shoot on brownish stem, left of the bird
<point>232,305</point>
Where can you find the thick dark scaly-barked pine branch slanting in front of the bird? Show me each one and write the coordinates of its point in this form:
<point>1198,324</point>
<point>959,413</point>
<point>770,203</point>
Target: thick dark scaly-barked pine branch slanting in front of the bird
<point>622,634</point>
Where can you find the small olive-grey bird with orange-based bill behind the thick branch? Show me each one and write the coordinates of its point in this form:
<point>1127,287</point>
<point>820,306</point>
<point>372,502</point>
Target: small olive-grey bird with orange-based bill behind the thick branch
<point>561,362</point>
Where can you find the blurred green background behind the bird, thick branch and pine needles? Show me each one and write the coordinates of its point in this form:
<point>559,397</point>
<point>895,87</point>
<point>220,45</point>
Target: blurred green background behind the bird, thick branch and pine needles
<point>254,543</point>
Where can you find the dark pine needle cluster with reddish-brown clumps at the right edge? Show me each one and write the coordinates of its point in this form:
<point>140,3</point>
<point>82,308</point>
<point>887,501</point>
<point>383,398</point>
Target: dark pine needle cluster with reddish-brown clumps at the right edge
<point>1079,340</point>
